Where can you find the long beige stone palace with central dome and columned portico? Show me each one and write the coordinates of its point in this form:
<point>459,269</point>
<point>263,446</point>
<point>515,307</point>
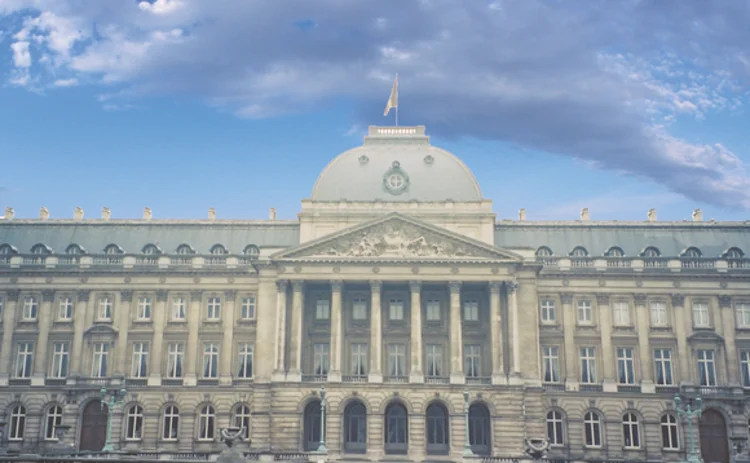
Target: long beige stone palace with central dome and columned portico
<point>431,330</point>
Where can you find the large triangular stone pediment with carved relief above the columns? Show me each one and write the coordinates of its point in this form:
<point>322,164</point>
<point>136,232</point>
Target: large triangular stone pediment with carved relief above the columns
<point>396,237</point>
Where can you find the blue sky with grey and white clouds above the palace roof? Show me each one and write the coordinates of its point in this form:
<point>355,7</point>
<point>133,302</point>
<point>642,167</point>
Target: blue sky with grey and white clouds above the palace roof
<point>182,105</point>
